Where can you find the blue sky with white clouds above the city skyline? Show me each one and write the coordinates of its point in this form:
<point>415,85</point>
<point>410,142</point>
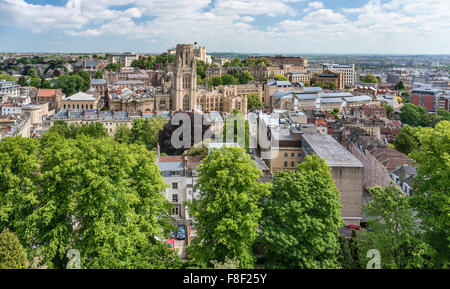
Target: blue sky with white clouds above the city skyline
<point>246,26</point>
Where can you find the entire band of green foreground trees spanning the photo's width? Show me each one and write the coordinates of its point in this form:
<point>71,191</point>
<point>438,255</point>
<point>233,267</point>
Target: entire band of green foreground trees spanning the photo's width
<point>78,188</point>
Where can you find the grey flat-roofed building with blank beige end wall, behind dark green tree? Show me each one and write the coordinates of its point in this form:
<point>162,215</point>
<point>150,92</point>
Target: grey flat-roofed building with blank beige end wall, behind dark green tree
<point>346,170</point>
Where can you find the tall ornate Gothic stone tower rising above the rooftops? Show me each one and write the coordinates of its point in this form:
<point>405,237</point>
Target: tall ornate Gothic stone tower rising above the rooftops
<point>184,84</point>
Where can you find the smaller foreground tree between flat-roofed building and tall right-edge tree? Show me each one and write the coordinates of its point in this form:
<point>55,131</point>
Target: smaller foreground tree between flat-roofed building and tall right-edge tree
<point>394,232</point>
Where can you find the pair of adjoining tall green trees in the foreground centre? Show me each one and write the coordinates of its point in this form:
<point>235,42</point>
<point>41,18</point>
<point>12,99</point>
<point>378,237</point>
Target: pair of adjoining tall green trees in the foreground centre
<point>295,222</point>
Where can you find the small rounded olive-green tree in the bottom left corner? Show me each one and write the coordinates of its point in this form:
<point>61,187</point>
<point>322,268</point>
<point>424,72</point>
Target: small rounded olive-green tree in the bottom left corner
<point>12,254</point>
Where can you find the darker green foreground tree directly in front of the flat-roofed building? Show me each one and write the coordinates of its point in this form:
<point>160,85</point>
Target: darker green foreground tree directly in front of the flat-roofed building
<point>302,217</point>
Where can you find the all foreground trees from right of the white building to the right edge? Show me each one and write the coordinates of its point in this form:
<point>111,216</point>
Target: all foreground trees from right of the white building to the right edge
<point>294,223</point>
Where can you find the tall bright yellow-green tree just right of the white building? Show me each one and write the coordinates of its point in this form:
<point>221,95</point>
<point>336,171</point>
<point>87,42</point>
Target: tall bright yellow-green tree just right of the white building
<point>228,209</point>
